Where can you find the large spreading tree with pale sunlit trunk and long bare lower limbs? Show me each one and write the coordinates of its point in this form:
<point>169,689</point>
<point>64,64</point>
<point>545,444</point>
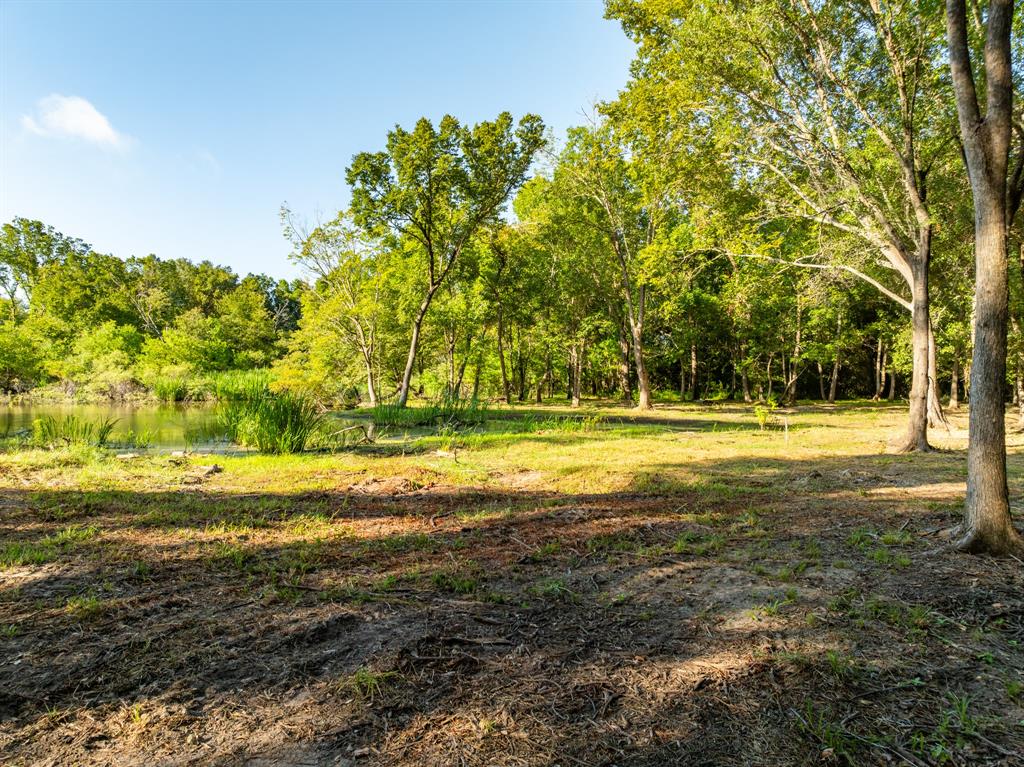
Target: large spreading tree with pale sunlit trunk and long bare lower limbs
<point>834,105</point>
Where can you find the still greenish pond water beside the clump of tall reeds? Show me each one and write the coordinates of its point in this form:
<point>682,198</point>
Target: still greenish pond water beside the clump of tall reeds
<point>162,428</point>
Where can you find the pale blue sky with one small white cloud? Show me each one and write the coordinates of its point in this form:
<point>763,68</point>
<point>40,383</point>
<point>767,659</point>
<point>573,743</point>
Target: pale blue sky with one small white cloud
<point>181,129</point>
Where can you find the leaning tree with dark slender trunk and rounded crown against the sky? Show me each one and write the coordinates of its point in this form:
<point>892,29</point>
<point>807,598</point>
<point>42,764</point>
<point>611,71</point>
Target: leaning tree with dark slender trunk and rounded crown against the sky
<point>438,188</point>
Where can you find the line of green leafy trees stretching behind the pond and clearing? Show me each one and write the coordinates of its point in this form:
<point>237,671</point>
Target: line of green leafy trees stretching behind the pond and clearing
<point>785,201</point>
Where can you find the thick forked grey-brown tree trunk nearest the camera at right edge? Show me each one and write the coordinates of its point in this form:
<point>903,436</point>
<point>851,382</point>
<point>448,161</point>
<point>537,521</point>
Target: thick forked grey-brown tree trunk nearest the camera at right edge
<point>988,526</point>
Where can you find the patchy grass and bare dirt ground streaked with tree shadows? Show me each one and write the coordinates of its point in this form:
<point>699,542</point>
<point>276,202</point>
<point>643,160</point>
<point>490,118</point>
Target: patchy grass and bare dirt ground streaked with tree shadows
<point>689,591</point>
